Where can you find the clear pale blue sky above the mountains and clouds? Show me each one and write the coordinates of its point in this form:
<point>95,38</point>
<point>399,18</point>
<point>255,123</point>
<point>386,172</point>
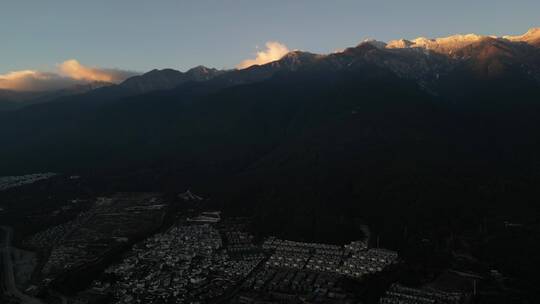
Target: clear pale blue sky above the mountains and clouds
<point>144,34</point>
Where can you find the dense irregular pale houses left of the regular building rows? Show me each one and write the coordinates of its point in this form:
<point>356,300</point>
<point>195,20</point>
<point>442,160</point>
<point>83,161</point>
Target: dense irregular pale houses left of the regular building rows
<point>188,263</point>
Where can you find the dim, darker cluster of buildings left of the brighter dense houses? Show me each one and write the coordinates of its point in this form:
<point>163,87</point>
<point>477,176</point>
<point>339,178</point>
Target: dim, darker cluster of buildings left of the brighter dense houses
<point>105,227</point>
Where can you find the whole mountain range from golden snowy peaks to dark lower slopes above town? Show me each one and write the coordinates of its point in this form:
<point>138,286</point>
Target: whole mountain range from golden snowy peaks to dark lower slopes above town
<point>420,126</point>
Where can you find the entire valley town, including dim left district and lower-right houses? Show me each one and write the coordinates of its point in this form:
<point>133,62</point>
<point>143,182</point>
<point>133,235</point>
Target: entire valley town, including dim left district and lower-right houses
<point>151,248</point>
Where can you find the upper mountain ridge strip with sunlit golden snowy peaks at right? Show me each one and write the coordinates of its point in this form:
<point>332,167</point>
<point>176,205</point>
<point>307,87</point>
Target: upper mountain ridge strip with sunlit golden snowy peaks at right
<point>418,59</point>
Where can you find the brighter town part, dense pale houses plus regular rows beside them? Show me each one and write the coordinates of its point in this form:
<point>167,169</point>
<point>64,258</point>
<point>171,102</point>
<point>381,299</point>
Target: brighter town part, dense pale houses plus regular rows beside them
<point>212,261</point>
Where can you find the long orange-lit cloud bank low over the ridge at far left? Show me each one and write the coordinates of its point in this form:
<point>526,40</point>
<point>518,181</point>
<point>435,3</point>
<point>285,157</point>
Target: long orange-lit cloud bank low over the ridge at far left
<point>69,73</point>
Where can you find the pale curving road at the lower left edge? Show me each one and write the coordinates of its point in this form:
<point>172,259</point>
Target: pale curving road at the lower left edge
<point>8,276</point>
